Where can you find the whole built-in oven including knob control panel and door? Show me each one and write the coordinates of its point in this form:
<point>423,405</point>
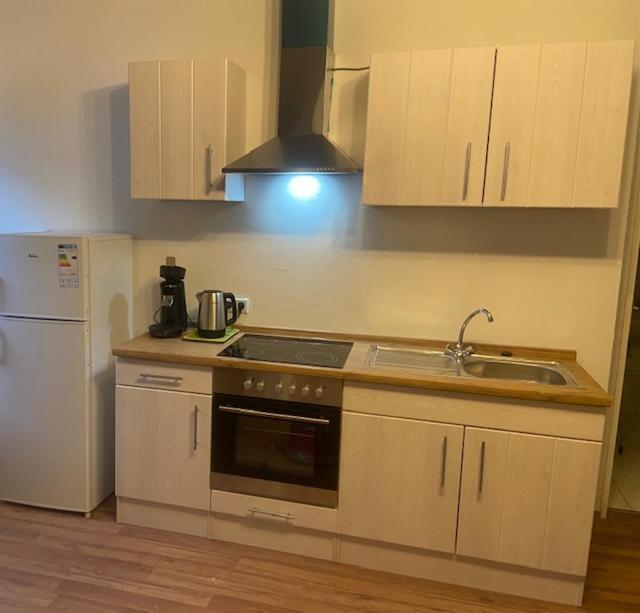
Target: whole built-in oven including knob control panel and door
<point>276,436</point>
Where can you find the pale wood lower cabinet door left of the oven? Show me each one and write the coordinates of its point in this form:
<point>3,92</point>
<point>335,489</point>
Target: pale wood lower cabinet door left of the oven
<point>163,446</point>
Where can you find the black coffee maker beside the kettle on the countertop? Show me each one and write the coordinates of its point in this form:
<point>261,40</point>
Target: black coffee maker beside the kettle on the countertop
<point>173,319</point>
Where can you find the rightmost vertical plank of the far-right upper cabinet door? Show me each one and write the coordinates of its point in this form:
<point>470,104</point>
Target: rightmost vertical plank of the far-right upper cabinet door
<point>603,124</point>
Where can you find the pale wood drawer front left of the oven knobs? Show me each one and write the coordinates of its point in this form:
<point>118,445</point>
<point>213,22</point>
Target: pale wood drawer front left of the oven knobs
<point>157,375</point>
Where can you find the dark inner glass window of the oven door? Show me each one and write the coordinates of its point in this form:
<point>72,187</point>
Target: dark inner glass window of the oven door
<point>276,447</point>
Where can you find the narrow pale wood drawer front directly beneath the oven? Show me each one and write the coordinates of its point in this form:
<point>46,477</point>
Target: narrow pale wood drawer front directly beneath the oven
<point>254,509</point>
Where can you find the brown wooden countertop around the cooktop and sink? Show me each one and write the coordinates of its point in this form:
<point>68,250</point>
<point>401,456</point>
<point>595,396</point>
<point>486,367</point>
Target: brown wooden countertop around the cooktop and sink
<point>589,393</point>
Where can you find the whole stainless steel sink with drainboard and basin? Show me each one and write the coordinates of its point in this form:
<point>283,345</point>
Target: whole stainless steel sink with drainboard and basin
<point>474,366</point>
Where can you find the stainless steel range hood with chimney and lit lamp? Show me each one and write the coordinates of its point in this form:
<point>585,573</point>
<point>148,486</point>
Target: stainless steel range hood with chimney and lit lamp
<point>306,58</point>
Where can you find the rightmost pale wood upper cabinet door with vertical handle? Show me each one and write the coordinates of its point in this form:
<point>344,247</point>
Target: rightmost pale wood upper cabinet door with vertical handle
<point>558,124</point>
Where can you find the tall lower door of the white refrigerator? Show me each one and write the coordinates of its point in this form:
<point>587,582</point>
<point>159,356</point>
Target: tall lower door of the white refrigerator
<point>44,406</point>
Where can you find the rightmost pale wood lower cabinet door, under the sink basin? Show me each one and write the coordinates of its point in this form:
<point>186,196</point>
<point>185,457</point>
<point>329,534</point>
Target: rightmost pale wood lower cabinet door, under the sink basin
<point>527,500</point>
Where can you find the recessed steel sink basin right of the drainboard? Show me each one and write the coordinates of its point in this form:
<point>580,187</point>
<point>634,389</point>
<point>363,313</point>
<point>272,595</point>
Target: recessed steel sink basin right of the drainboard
<point>549,373</point>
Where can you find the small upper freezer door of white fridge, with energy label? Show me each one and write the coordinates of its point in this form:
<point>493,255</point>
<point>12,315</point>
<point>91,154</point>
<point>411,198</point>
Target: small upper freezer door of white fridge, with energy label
<point>44,276</point>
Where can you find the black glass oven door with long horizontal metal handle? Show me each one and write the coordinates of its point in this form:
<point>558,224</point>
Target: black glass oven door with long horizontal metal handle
<point>276,449</point>
